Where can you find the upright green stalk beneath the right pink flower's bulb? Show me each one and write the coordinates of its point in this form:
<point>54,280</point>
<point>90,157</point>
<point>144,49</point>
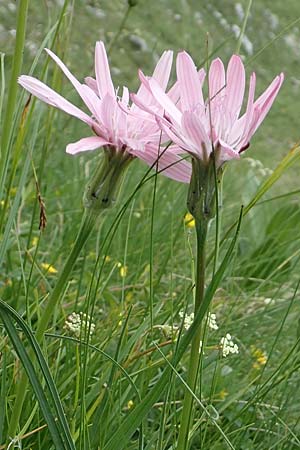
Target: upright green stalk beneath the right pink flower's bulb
<point>201,230</point>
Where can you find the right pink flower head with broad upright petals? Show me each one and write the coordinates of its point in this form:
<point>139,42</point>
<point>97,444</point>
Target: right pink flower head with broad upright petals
<point>198,126</point>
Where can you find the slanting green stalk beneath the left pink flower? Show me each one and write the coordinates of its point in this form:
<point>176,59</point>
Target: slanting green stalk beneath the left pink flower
<point>87,225</point>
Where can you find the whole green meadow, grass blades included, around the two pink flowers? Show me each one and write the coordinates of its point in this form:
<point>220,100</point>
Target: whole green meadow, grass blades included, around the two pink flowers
<point>95,375</point>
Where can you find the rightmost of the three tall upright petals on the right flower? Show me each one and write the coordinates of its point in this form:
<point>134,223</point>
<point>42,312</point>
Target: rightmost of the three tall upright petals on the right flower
<point>235,87</point>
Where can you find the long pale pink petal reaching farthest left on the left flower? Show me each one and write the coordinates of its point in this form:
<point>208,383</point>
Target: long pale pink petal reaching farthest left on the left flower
<point>47,95</point>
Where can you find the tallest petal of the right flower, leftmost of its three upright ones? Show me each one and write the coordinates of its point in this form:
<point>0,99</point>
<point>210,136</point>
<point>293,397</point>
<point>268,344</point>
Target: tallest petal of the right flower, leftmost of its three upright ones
<point>190,85</point>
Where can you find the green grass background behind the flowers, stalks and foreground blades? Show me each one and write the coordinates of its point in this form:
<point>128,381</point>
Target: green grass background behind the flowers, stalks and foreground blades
<point>257,403</point>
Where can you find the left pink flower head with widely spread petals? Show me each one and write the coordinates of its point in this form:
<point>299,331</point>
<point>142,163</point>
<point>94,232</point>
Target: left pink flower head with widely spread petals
<point>116,124</point>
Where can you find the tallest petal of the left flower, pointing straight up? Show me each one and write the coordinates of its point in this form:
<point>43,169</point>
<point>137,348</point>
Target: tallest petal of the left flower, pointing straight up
<point>103,78</point>
